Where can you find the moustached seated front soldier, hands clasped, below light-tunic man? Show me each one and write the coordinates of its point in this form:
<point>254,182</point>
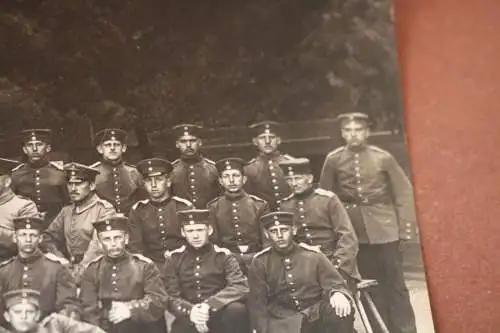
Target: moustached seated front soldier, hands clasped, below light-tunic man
<point>122,292</point>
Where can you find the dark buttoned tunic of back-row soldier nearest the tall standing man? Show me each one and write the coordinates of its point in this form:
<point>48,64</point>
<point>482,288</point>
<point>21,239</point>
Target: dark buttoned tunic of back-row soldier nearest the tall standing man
<point>266,179</point>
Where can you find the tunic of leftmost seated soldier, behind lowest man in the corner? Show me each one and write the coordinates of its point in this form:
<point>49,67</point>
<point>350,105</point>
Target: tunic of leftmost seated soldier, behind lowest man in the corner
<point>44,273</point>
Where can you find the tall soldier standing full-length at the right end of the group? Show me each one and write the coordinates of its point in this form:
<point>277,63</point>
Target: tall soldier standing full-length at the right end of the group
<point>379,200</point>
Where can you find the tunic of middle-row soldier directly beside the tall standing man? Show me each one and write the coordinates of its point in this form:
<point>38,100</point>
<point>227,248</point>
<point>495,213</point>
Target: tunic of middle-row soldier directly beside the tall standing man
<point>322,220</point>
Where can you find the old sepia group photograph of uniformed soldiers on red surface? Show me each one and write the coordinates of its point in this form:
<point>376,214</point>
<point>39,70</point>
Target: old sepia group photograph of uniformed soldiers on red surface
<point>205,167</point>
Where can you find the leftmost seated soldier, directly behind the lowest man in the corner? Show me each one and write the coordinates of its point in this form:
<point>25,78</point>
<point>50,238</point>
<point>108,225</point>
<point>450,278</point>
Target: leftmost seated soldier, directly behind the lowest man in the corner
<point>43,272</point>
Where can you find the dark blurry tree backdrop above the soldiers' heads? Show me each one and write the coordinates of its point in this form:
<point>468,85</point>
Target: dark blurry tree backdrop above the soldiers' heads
<point>146,65</point>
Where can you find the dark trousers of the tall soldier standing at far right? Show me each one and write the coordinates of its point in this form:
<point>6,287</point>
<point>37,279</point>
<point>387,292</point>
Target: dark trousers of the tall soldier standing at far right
<point>384,263</point>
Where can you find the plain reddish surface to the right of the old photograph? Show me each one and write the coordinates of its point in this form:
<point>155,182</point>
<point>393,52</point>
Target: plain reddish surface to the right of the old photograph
<point>449,60</point>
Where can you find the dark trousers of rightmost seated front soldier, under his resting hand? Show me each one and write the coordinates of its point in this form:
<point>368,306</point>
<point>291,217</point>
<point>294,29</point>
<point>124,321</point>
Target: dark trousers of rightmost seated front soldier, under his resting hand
<point>329,322</point>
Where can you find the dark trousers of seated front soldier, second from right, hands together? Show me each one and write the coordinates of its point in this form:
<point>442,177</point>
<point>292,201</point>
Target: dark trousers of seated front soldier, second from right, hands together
<point>231,319</point>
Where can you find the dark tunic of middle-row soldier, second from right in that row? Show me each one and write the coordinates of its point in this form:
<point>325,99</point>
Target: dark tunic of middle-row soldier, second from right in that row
<point>236,220</point>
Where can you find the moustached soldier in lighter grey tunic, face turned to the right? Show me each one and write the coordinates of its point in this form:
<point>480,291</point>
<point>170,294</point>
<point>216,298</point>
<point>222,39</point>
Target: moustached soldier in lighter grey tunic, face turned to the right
<point>71,234</point>
